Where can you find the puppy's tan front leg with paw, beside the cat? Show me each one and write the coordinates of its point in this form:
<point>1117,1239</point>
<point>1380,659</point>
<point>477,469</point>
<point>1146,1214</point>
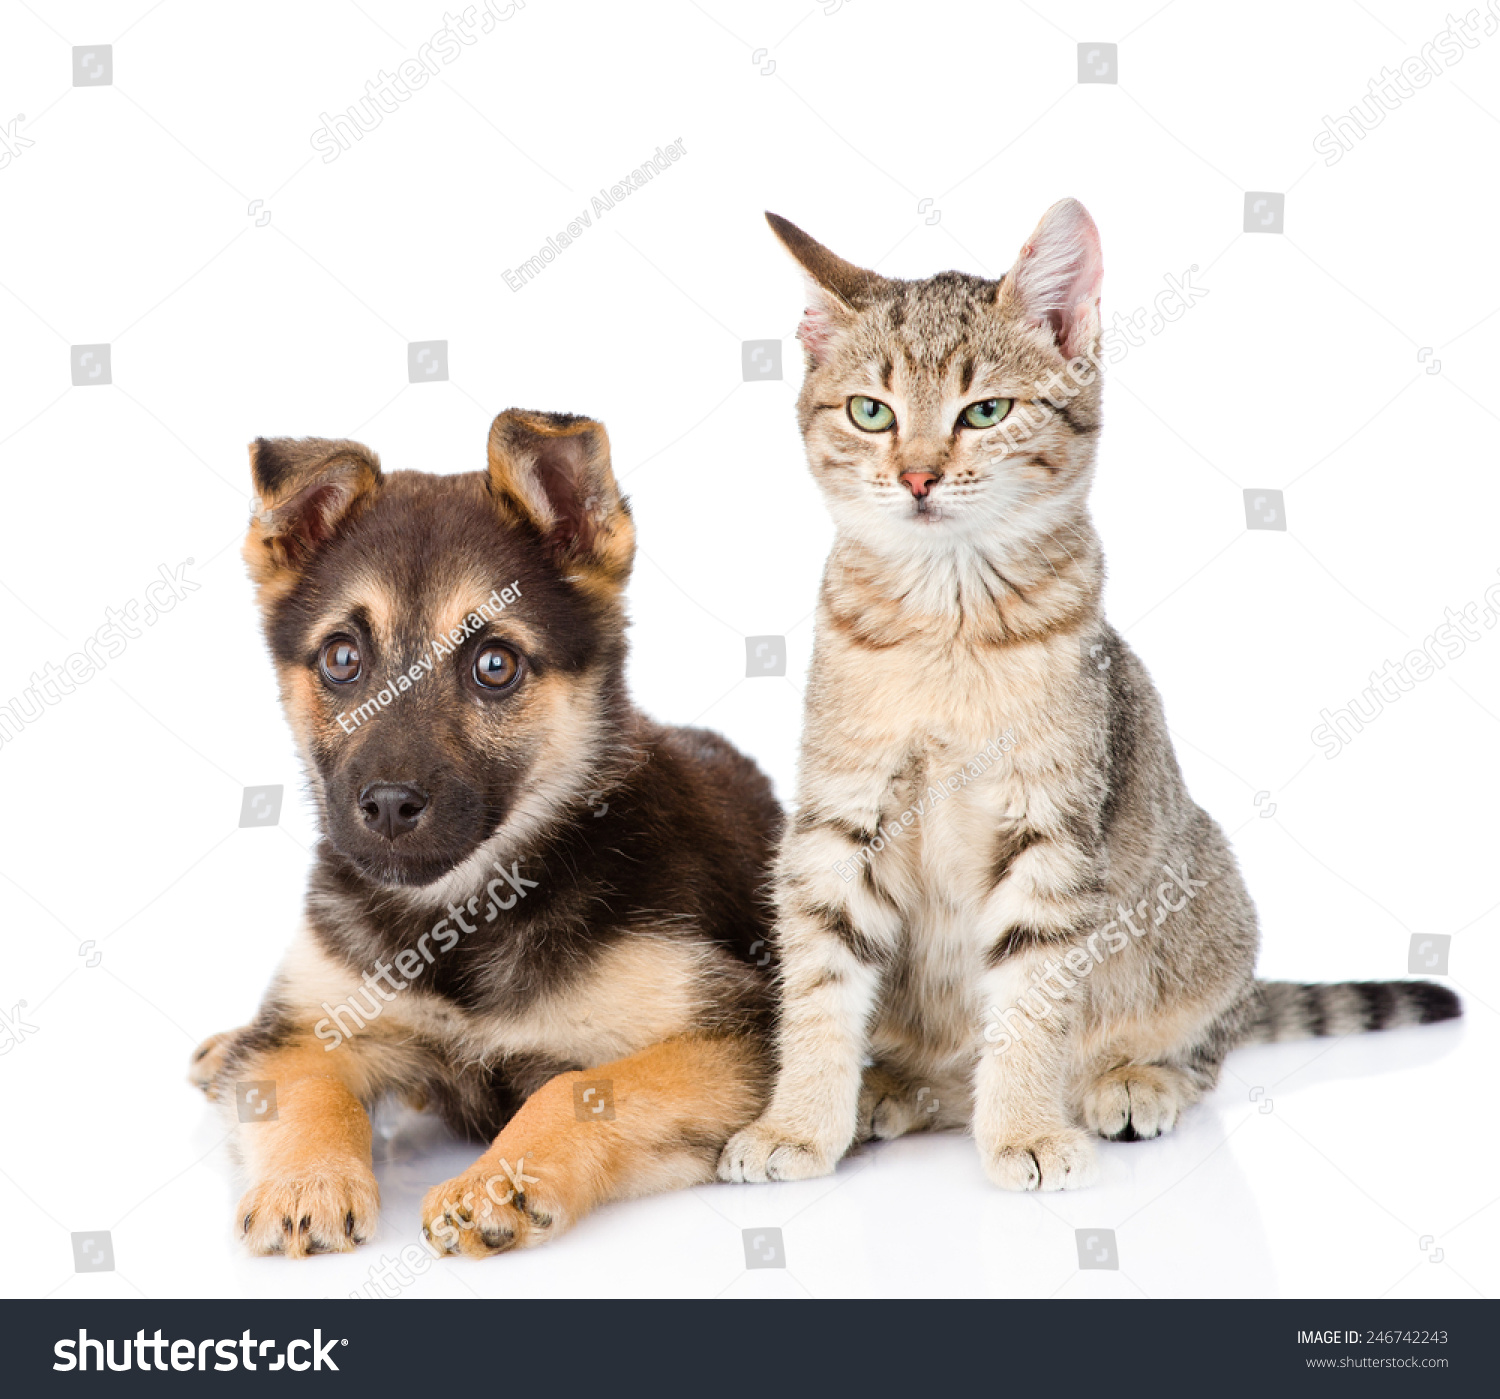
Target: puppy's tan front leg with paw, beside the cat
<point>673,1104</point>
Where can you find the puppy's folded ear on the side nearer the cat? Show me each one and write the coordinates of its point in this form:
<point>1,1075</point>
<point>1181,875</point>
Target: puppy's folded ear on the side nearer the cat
<point>551,472</point>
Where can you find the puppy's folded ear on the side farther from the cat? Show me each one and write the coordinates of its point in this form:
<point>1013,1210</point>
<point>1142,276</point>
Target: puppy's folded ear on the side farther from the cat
<point>305,490</point>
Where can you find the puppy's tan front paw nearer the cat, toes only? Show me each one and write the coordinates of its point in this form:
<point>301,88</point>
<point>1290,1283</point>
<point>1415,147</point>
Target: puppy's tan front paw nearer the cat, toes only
<point>493,1209</point>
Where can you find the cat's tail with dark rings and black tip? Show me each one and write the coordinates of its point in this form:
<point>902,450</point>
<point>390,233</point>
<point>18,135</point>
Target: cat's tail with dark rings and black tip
<point>1292,1010</point>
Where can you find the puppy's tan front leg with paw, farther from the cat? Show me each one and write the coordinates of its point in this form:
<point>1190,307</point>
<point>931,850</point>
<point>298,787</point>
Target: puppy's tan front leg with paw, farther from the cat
<point>313,1190</point>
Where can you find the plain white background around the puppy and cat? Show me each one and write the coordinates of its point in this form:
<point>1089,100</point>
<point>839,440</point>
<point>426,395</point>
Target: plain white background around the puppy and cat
<point>130,223</point>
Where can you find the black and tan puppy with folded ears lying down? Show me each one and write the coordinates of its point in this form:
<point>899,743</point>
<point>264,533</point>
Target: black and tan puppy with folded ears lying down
<point>532,909</point>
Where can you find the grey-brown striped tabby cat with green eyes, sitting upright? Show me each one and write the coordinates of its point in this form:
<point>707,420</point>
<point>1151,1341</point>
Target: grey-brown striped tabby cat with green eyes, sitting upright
<point>1058,944</point>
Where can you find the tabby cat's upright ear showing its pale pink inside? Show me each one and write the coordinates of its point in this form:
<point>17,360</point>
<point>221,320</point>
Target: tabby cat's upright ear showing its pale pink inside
<point>1057,278</point>
